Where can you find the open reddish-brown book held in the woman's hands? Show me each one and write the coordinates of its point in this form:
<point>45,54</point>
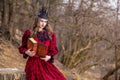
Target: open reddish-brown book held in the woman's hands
<point>40,49</point>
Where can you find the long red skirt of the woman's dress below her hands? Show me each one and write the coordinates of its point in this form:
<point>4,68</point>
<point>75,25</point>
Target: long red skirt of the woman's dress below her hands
<point>37,69</point>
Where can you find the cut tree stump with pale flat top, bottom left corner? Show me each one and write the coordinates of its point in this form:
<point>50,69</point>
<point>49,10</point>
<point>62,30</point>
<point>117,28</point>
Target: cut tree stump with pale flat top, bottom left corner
<point>12,74</point>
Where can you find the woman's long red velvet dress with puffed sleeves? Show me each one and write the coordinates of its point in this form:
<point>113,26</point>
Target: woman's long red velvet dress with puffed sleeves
<point>37,69</point>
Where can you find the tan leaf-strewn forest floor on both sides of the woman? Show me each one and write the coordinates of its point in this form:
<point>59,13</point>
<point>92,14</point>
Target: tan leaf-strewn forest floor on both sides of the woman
<point>11,58</point>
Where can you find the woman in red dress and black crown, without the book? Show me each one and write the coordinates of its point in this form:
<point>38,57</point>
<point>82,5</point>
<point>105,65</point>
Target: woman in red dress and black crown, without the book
<point>39,68</point>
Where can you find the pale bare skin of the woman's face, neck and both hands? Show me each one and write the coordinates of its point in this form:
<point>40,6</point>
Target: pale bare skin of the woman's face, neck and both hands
<point>42,23</point>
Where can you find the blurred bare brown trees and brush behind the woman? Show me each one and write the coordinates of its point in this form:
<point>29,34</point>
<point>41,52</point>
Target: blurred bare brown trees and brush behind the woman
<point>88,32</point>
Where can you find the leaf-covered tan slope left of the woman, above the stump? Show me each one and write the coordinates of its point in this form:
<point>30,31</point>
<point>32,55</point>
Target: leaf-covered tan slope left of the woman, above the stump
<point>9,55</point>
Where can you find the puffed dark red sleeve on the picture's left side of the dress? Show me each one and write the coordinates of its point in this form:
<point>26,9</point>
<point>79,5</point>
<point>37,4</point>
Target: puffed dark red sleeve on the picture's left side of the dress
<point>23,46</point>
